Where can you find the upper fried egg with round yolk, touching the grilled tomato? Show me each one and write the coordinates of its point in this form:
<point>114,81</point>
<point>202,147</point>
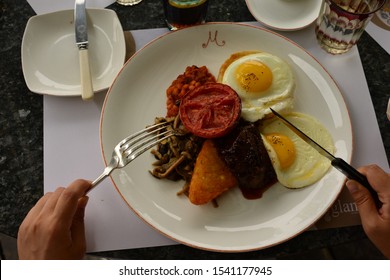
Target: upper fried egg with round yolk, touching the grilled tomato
<point>262,80</point>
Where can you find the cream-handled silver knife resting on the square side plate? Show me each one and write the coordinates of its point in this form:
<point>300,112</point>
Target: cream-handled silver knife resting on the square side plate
<point>81,31</point>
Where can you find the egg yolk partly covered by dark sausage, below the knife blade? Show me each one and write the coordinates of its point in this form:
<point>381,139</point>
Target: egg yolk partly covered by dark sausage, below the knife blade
<point>283,147</point>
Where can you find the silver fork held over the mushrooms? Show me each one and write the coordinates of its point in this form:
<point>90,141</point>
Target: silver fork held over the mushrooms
<point>133,146</point>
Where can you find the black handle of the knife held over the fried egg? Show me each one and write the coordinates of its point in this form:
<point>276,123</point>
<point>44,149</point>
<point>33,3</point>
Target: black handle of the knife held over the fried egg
<point>353,174</point>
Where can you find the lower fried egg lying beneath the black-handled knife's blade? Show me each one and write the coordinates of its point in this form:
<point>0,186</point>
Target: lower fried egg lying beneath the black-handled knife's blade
<point>296,163</point>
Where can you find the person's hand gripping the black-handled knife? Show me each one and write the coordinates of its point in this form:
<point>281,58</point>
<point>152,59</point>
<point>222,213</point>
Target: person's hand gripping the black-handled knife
<point>376,222</point>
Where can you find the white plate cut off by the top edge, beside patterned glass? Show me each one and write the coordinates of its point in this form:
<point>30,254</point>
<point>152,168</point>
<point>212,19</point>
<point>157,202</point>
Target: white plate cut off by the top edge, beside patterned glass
<point>285,15</point>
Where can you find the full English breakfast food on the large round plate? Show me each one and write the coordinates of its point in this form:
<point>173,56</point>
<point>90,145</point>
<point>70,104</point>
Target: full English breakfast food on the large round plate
<point>228,137</point>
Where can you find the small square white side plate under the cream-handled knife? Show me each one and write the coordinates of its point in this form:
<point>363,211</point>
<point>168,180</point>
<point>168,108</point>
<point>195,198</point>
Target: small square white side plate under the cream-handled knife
<point>50,58</point>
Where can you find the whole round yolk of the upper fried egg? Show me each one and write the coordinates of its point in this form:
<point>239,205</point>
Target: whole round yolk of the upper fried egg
<point>253,76</point>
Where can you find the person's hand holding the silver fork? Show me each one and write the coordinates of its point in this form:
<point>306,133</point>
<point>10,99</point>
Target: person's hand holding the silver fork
<point>54,227</point>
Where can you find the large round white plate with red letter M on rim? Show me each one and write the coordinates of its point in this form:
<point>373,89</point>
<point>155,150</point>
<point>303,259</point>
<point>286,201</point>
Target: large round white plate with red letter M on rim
<point>137,96</point>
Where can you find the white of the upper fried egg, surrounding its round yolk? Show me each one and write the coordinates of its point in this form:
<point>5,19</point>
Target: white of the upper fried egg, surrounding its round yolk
<point>279,95</point>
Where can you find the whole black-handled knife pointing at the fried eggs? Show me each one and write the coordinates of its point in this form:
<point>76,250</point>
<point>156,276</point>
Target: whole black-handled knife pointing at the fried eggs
<point>336,162</point>
